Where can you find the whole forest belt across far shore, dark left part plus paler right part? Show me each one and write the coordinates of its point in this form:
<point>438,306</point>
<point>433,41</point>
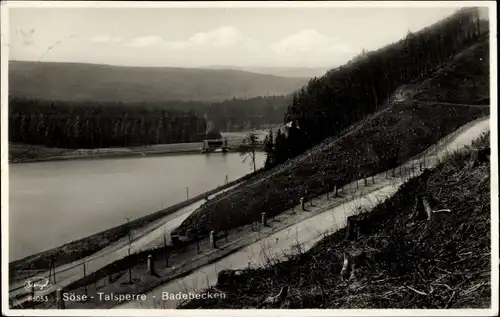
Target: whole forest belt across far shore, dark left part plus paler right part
<point>78,124</point>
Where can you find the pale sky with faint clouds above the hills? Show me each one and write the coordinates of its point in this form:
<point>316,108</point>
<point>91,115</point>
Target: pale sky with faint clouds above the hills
<point>201,37</point>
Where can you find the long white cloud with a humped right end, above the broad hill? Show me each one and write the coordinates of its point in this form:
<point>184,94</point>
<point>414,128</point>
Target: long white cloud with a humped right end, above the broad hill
<point>222,37</point>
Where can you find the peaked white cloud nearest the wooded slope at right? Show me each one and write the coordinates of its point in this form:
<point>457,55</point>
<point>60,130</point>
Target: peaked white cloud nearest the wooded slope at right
<point>310,40</point>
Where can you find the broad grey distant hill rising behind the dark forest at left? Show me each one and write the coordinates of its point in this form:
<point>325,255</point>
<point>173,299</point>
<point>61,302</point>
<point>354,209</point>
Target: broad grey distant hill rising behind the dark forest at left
<point>88,82</point>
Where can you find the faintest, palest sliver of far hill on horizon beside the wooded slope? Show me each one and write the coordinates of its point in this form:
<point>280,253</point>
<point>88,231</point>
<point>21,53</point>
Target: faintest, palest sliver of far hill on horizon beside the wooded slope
<point>299,72</point>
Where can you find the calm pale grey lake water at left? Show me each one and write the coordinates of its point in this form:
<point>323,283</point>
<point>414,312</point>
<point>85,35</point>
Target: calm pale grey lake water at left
<point>53,203</point>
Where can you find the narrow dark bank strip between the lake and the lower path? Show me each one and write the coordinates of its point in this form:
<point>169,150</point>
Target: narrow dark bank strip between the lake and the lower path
<point>81,248</point>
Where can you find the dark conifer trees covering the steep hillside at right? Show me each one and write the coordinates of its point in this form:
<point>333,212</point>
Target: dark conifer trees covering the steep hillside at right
<point>344,95</point>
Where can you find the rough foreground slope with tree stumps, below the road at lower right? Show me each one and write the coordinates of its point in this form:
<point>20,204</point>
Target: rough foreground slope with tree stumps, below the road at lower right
<point>410,262</point>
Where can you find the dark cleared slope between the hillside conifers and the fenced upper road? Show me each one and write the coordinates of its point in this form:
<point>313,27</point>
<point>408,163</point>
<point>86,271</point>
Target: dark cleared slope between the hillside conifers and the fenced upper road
<point>400,130</point>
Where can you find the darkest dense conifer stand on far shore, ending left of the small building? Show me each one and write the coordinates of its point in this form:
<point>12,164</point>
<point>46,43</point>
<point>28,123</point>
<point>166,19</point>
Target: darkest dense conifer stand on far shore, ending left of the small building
<point>65,125</point>
